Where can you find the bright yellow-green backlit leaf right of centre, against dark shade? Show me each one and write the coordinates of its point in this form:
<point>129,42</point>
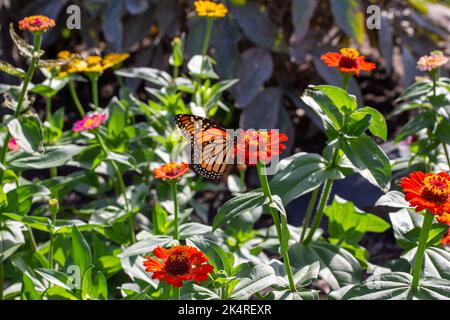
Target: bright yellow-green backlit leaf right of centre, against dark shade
<point>349,223</point>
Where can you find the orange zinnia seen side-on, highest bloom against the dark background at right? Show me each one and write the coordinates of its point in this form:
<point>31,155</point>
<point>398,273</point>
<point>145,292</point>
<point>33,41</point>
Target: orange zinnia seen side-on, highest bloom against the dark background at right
<point>348,61</point>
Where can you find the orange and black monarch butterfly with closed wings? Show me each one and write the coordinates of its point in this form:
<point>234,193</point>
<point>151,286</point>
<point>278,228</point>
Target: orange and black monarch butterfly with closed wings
<point>212,148</point>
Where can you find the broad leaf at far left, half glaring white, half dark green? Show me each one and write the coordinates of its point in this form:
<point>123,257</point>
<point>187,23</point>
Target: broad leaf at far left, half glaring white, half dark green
<point>27,131</point>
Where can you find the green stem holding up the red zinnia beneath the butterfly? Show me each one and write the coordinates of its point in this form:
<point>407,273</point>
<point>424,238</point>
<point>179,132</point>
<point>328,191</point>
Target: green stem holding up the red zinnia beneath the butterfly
<point>262,174</point>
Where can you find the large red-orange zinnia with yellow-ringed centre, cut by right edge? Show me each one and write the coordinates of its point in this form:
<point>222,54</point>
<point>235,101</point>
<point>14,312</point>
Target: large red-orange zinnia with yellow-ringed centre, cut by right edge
<point>428,191</point>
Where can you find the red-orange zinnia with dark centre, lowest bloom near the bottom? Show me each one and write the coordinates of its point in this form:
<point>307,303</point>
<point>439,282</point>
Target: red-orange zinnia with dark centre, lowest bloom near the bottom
<point>180,263</point>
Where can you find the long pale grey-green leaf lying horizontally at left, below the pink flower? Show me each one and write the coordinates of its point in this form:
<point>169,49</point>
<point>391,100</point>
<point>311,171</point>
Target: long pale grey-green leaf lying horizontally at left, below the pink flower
<point>53,157</point>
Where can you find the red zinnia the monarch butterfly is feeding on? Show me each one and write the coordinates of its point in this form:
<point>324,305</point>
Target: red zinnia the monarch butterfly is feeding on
<point>253,146</point>
